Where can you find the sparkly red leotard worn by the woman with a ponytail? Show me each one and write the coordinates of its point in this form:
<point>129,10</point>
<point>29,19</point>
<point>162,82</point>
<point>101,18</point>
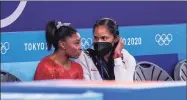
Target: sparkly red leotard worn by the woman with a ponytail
<point>48,69</point>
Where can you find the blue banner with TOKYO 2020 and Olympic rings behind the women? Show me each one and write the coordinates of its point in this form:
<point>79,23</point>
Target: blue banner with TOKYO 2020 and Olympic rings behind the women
<point>142,40</point>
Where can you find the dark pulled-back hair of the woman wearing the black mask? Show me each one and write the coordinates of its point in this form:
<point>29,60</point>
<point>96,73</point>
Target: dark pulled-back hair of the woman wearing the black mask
<point>110,23</point>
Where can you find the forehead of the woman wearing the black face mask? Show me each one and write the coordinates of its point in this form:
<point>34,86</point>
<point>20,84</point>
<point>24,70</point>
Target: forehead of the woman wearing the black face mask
<point>101,31</point>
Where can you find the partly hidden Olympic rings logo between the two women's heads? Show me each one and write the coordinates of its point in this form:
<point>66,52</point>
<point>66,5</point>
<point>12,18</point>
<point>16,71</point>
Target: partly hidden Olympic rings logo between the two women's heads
<point>86,42</point>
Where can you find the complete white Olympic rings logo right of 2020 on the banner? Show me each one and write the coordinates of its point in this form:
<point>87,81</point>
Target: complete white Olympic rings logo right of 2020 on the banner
<point>163,39</point>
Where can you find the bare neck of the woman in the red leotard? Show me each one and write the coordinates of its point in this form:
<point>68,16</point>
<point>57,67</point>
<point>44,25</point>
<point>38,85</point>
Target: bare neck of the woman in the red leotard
<point>61,58</point>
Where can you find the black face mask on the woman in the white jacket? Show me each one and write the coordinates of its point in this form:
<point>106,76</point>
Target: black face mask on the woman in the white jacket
<point>102,48</point>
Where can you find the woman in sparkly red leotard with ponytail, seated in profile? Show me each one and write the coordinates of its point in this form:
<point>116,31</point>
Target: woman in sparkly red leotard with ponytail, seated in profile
<point>66,42</point>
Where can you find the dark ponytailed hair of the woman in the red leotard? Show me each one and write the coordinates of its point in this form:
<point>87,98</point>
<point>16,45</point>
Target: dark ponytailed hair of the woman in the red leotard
<point>56,31</point>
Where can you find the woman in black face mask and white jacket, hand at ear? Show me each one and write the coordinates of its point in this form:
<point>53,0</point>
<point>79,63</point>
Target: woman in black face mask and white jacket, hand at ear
<point>108,60</point>
